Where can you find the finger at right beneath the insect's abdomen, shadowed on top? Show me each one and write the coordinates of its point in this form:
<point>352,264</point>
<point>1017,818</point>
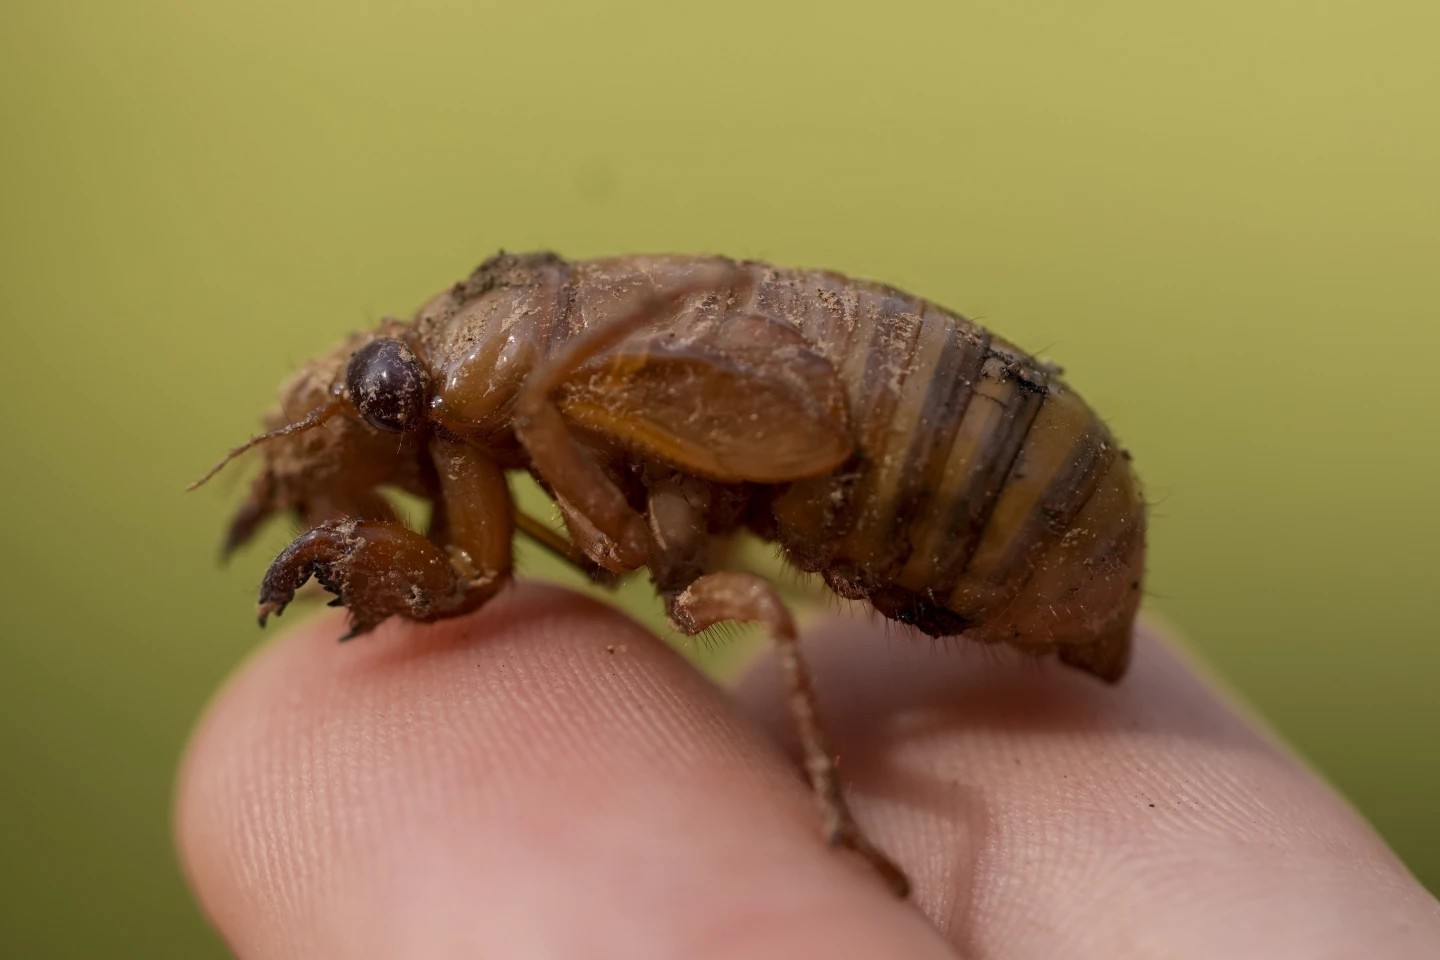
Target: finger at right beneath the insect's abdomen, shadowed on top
<point>1046,815</point>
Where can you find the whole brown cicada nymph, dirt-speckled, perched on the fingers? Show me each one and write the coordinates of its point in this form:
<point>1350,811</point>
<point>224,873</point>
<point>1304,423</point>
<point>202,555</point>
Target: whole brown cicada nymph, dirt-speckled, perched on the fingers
<point>905,454</point>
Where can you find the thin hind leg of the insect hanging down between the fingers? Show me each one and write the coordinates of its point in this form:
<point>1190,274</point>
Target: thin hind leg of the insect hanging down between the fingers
<point>698,601</point>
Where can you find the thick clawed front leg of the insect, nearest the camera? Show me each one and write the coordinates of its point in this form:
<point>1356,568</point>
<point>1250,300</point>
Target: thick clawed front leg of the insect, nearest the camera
<point>382,569</point>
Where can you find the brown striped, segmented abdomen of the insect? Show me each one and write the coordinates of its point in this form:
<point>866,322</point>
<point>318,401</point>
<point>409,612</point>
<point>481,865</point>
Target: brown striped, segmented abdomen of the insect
<point>986,497</point>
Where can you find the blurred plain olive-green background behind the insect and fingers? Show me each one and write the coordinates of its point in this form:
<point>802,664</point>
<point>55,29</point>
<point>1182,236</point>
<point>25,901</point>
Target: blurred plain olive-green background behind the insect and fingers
<point>1222,218</point>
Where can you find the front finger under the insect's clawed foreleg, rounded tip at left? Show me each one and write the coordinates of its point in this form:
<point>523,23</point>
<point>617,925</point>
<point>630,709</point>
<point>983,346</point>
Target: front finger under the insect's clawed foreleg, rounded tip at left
<point>542,779</point>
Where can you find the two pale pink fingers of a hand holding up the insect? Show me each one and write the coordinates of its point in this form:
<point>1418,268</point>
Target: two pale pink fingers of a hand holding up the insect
<point>545,779</point>
